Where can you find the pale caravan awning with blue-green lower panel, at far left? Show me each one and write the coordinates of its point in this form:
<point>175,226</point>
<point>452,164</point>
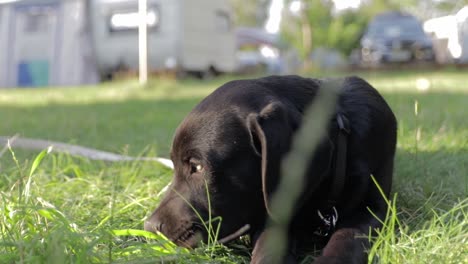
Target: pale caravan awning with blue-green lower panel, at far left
<point>45,42</point>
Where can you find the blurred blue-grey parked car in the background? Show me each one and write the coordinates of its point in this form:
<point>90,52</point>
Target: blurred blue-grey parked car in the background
<point>395,37</point>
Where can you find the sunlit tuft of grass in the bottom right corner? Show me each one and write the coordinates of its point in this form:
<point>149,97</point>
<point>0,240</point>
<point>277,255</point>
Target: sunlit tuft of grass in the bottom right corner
<point>440,239</point>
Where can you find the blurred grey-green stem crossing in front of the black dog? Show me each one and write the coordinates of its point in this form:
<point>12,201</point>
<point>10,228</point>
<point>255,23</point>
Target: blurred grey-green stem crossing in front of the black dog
<point>295,165</point>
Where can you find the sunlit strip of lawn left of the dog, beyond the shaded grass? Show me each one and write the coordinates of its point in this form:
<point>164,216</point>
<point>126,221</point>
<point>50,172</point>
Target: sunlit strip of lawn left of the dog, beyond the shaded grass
<point>107,92</point>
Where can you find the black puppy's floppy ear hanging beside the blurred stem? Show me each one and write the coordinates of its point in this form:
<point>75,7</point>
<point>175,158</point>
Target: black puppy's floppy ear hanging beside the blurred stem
<point>271,133</point>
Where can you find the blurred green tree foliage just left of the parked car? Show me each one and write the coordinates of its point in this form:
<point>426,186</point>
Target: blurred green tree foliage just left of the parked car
<point>341,31</point>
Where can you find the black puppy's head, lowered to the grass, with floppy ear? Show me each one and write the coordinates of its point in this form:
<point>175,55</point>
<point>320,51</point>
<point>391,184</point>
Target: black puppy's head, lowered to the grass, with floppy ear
<point>227,154</point>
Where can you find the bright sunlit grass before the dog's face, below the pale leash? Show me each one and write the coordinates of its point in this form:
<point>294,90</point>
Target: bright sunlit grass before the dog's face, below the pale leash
<point>53,215</point>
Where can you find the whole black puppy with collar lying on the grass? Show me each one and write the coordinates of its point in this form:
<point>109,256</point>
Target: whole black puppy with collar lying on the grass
<point>233,142</point>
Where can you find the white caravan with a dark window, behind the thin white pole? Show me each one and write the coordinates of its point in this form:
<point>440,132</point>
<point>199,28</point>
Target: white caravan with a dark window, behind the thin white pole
<point>183,35</point>
